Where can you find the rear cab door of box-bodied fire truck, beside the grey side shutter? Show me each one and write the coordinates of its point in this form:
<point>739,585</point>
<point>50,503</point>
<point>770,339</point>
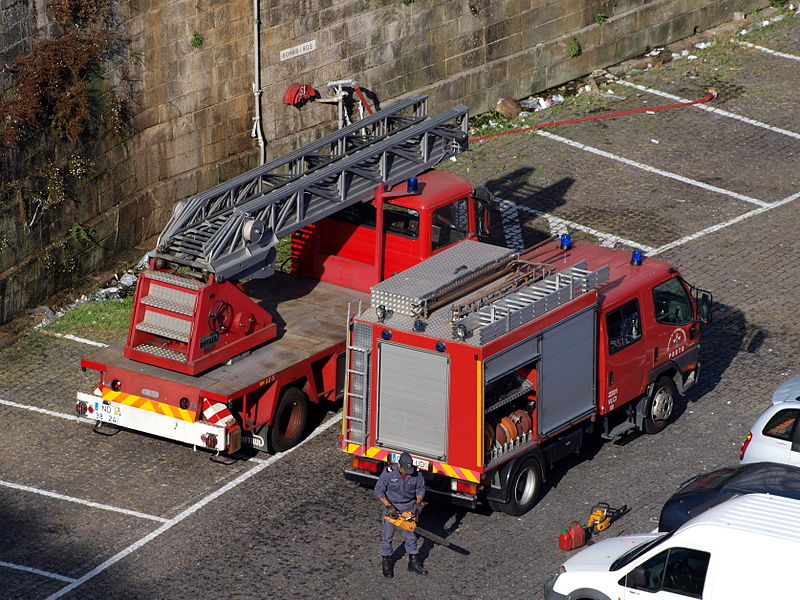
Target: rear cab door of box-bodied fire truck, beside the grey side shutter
<point>626,356</point>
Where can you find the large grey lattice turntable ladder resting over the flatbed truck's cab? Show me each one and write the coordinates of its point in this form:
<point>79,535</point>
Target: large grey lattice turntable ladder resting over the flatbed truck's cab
<point>231,229</point>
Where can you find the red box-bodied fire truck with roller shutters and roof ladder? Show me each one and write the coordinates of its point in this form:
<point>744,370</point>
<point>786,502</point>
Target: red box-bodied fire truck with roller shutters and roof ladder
<point>488,365</point>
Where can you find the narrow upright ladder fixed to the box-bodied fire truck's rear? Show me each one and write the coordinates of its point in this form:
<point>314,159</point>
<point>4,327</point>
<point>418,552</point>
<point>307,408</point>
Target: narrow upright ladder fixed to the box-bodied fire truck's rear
<point>356,381</point>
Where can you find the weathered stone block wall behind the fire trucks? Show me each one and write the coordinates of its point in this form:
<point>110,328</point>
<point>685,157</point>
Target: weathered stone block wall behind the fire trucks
<point>193,103</point>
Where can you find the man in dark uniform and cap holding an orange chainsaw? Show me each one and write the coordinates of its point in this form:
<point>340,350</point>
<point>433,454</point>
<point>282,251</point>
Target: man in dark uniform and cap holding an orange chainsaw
<point>400,487</point>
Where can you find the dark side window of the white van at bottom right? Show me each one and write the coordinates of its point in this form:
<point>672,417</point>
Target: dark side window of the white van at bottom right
<point>680,571</point>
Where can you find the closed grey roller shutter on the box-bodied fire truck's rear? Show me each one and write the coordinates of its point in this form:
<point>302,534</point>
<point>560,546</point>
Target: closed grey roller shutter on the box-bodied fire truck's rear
<point>413,389</point>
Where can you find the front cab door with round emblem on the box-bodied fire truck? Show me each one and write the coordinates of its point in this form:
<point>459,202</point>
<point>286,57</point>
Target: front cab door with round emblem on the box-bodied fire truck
<point>671,316</point>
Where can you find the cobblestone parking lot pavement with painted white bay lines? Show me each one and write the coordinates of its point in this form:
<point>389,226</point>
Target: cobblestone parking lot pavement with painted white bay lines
<point>130,516</point>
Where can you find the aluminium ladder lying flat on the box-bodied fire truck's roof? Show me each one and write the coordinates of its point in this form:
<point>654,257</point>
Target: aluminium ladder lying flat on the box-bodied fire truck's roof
<point>528,303</point>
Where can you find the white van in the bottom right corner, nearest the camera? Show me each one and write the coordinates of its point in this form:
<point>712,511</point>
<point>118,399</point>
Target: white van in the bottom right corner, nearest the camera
<point>744,548</point>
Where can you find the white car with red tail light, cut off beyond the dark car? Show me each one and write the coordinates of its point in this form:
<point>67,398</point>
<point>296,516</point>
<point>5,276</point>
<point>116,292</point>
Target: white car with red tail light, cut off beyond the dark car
<point>775,436</point>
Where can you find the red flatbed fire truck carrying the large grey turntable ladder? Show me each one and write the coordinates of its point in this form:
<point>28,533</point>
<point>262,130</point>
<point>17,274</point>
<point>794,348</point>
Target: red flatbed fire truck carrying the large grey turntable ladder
<point>222,351</point>
